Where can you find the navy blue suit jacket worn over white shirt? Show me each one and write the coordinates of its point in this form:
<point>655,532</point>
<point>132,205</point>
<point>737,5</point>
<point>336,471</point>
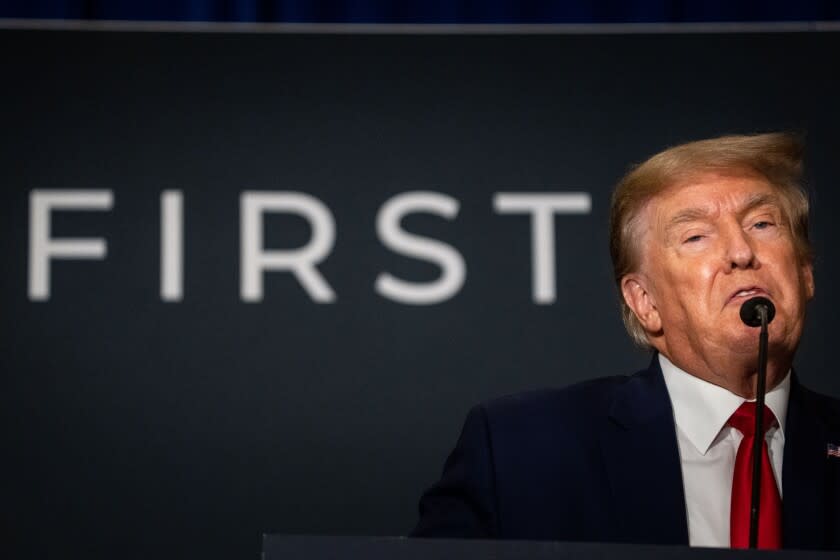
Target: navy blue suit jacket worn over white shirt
<point>599,461</point>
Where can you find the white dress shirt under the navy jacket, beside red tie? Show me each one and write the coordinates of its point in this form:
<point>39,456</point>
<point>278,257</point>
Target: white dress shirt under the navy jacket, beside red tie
<point>708,447</point>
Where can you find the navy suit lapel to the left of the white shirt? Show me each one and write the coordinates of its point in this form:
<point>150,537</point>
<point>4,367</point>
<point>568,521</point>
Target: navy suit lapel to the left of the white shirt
<point>642,460</point>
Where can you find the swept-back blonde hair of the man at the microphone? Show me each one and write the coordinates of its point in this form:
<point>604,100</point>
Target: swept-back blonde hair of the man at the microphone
<point>776,157</point>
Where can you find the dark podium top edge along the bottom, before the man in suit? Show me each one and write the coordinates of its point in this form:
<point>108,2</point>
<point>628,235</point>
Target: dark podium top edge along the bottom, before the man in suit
<point>286,547</point>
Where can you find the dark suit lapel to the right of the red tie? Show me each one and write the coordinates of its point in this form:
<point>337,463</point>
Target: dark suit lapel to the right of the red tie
<point>803,474</point>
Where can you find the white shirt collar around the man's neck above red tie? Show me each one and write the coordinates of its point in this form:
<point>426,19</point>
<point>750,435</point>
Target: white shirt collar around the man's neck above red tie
<point>701,409</point>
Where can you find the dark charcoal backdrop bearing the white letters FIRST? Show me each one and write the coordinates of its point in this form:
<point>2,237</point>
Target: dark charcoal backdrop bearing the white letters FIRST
<point>172,429</point>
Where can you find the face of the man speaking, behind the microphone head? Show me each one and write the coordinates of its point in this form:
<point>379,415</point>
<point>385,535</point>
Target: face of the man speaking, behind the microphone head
<point>707,247</point>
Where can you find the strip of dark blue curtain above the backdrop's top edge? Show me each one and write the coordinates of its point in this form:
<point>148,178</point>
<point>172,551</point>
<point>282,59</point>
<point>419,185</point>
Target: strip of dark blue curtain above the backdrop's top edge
<point>427,11</point>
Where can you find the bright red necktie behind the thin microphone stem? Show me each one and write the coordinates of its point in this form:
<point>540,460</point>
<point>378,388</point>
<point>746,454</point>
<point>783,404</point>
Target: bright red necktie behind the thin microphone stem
<point>770,510</point>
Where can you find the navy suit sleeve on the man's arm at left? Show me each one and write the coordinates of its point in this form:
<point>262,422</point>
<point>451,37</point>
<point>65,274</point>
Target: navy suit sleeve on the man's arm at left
<point>463,504</point>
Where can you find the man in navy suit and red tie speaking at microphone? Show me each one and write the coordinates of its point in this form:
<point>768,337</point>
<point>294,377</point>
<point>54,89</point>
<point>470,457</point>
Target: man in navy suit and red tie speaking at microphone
<point>663,456</point>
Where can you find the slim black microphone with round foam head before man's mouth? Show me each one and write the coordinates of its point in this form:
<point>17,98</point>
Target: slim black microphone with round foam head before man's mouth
<point>758,312</point>
